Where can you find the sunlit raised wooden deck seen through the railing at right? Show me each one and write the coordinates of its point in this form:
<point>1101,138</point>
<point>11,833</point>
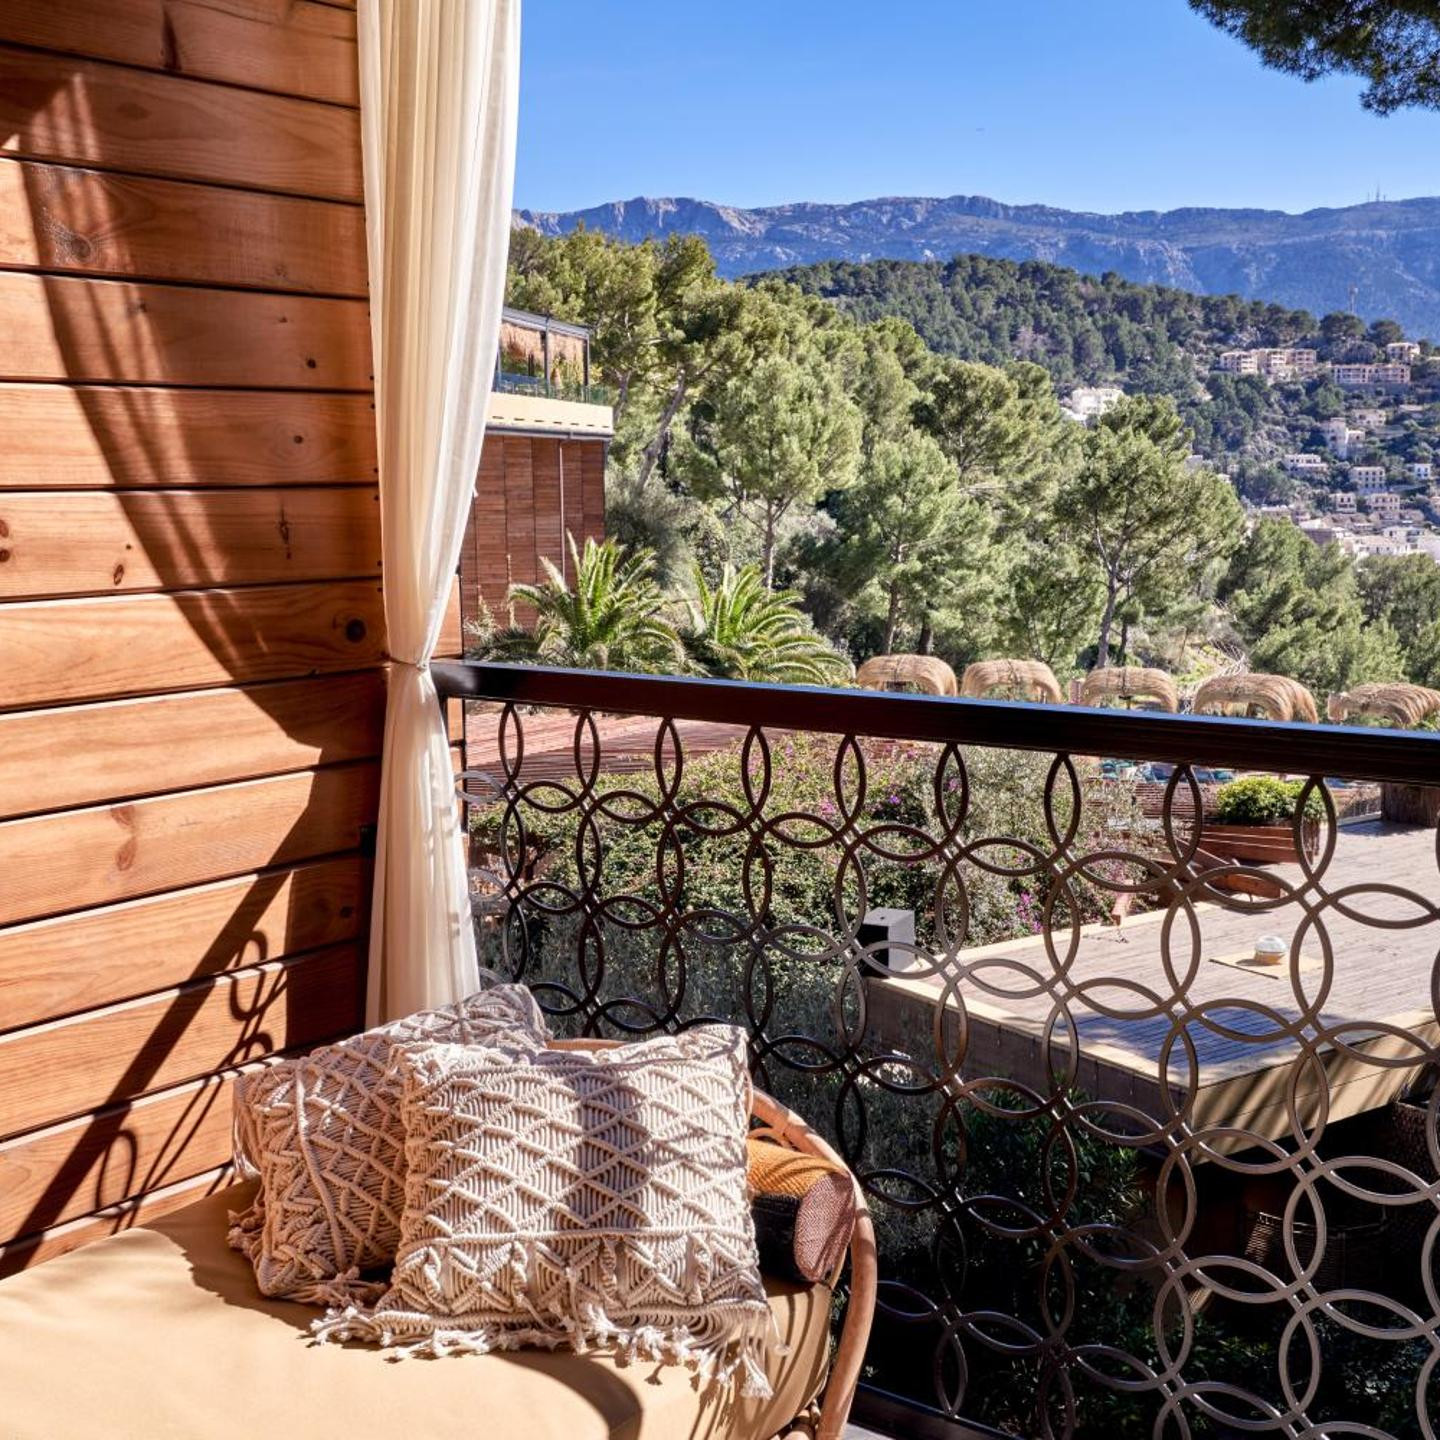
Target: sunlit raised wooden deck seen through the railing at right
<point>1248,1065</point>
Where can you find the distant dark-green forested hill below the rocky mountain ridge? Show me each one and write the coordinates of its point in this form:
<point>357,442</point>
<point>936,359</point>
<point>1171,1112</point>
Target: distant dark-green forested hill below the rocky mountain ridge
<point>1148,339</point>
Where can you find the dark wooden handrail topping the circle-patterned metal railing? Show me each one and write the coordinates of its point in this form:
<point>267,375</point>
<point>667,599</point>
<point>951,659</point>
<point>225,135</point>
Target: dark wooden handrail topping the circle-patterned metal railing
<point>1340,752</point>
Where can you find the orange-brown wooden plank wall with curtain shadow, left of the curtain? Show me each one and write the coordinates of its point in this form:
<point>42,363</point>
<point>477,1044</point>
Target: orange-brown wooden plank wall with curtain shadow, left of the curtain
<point>191,617</point>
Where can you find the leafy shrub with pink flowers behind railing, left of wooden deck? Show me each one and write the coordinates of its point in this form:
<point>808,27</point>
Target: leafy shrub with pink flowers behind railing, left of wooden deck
<point>810,881</point>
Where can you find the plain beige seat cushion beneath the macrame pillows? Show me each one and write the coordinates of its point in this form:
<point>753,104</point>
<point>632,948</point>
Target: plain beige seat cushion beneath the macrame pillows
<point>161,1334</point>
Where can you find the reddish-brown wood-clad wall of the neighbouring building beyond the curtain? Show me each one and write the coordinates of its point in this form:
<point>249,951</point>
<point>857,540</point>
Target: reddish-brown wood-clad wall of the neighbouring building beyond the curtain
<point>532,492</point>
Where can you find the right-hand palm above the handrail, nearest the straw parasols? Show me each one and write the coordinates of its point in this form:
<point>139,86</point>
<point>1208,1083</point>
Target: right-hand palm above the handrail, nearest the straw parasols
<point>739,630</point>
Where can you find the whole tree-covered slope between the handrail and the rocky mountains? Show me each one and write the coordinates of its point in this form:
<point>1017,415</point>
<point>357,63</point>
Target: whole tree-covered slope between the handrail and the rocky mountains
<point>883,446</point>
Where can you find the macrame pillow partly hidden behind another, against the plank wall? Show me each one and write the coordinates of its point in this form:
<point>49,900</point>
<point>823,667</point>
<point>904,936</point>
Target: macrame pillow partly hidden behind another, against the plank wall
<point>326,1135</point>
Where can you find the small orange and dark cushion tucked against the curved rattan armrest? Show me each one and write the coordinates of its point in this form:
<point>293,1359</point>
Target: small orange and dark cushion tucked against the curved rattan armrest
<point>804,1212</point>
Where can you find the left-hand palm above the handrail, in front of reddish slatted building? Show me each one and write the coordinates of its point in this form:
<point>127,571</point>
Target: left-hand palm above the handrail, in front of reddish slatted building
<point>613,618</point>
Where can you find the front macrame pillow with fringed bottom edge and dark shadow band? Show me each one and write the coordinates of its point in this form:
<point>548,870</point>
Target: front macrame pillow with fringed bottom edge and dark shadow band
<point>575,1199</point>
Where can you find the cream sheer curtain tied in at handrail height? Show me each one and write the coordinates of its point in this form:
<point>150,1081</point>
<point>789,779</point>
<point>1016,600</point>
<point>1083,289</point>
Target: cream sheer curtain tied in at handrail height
<point>438,90</point>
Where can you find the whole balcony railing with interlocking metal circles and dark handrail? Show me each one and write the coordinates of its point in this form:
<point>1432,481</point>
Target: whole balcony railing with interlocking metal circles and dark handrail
<point>1128,1182</point>
